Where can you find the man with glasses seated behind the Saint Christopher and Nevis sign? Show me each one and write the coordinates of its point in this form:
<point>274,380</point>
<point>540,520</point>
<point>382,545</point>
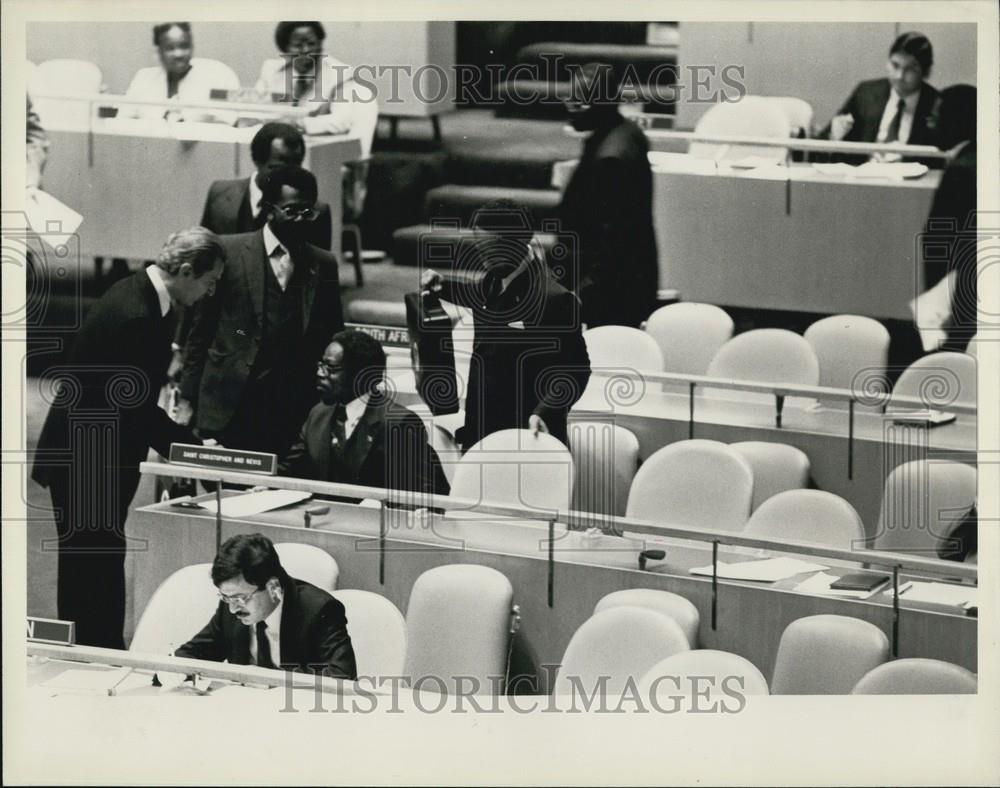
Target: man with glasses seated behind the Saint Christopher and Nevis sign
<point>359,435</point>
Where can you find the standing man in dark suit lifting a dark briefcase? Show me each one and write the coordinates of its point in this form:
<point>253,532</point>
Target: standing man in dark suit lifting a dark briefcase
<point>529,362</point>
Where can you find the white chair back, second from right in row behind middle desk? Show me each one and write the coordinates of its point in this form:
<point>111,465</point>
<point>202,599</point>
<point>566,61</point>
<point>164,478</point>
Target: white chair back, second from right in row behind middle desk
<point>852,351</point>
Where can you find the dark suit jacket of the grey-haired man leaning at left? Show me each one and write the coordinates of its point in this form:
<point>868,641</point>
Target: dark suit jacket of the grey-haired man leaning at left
<point>117,368</point>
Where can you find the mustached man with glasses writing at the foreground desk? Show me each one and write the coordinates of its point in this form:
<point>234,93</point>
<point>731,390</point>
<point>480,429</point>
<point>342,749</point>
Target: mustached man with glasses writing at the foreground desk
<point>295,625</point>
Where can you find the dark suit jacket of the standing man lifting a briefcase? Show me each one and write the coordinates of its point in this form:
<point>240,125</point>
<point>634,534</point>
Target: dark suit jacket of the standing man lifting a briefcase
<point>528,355</point>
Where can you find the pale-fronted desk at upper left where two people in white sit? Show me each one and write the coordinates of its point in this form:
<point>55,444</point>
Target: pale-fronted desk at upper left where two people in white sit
<point>135,182</point>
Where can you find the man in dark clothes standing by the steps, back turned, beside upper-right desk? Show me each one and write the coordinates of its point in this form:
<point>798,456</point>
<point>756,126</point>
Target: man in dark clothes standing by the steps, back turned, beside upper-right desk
<point>608,206</point>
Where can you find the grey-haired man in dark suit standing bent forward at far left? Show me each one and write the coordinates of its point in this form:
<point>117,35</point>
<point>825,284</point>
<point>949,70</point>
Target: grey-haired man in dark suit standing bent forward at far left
<point>103,420</point>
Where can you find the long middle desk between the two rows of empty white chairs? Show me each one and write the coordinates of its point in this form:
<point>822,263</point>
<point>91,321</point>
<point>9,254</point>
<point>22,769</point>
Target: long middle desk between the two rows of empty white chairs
<point>853,466</point>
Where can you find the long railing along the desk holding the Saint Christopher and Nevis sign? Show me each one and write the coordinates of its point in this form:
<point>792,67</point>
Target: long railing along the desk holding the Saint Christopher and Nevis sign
<point>620,526</point>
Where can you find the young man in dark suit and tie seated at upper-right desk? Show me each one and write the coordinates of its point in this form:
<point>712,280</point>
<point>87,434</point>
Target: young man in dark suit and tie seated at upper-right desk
<point>897,108</point>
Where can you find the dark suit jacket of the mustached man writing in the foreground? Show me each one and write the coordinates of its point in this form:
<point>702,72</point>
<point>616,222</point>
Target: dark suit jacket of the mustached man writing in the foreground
<point>313,635</point>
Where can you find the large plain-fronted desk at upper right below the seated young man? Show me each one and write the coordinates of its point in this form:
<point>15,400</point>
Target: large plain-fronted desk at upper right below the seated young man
<point>791,238</point>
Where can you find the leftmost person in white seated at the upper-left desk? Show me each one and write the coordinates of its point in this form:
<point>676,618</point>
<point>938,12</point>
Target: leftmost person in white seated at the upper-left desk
<point>179,78</point>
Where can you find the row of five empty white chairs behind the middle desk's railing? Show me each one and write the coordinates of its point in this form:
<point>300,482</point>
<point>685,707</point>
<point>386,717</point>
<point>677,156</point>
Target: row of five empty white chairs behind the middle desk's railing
<point>842,351</point>
